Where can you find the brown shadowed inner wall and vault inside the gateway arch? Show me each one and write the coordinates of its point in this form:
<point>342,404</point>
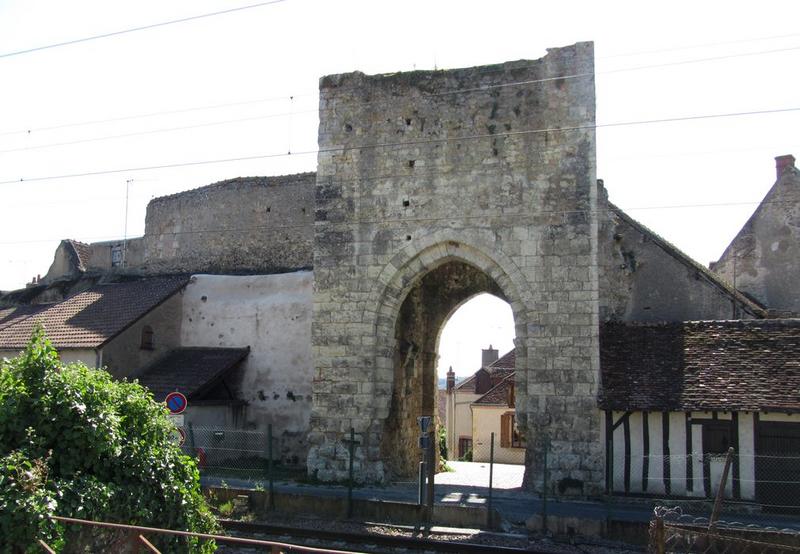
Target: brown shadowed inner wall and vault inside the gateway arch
<point>425,310</point>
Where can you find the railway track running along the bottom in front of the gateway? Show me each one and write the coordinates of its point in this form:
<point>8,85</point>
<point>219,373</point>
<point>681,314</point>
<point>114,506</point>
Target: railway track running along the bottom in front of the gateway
<point>364,542</point>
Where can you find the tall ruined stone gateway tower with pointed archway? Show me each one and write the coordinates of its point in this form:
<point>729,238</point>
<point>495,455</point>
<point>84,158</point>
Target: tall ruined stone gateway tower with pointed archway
<point>432,187</point>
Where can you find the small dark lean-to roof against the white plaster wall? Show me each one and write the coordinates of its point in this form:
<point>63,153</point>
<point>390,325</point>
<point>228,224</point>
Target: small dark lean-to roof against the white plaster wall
<point>192,371</point>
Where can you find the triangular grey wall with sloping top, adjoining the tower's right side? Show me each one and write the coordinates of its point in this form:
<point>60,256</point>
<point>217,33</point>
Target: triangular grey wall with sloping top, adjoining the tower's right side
<point>644,278</point>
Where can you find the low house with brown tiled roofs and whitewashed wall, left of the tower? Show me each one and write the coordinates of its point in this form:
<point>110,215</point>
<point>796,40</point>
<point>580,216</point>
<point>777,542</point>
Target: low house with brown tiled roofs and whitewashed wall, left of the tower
<point>237,346</point>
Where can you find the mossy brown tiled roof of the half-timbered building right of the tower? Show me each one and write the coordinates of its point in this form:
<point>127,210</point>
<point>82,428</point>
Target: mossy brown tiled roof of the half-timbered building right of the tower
<point>749,365</point>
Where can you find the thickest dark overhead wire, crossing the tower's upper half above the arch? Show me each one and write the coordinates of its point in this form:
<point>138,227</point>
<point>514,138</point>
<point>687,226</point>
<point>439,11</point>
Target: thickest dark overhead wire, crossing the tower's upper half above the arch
<point>419,142</point>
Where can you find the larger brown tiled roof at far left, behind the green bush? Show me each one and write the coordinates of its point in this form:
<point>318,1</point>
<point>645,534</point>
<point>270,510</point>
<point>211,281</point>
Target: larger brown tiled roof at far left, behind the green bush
<point>89,319</point>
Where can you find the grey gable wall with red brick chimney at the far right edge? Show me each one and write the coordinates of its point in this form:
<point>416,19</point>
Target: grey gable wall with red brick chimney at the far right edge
<point>764,258</point>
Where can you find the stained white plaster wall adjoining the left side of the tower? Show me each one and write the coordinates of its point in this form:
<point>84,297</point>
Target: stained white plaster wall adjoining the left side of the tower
<point>272,315</point>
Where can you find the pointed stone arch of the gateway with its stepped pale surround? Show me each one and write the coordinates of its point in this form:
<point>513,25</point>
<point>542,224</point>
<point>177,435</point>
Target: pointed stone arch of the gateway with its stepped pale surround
<point>420,269</point>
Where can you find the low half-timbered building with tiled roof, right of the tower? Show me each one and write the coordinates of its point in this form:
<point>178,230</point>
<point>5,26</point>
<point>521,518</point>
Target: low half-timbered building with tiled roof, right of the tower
<point>676,396</point>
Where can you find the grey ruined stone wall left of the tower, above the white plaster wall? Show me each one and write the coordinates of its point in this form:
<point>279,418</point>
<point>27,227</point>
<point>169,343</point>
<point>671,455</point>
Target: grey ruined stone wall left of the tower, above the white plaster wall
<point>244,225</point>
